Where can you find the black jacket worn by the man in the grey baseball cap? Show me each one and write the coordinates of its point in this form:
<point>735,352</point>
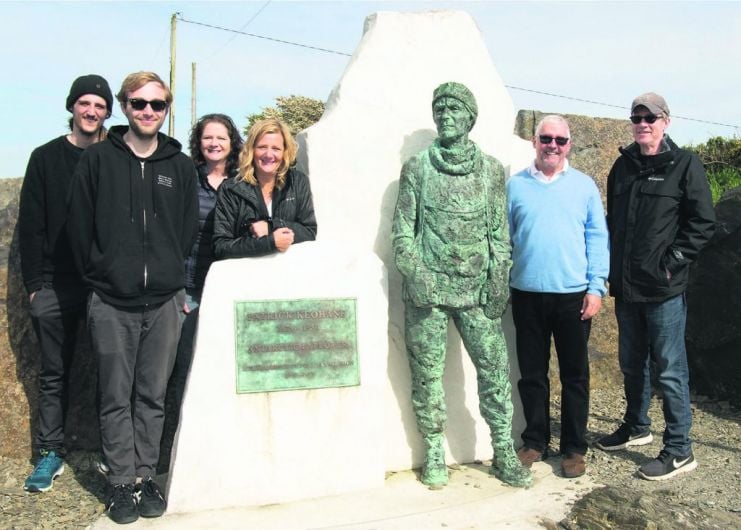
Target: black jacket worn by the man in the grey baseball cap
<point>660,215</point>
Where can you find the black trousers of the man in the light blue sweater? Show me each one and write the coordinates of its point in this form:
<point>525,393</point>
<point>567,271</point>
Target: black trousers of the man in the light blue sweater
<point>537,316</point>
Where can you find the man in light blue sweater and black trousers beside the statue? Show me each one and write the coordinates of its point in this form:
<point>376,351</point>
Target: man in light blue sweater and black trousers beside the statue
<point>560,263</point>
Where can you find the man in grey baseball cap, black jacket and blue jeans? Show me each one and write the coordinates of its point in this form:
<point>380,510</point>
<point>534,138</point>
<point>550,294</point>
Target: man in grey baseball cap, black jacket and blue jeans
<point>660,215</point>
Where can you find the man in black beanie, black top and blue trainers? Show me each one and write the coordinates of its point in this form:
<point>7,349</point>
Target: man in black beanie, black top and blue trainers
<point>57,296</point>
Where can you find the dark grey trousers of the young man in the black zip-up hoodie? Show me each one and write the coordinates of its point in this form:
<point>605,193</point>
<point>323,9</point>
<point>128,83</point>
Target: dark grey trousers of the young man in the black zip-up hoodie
<point>135,348</point>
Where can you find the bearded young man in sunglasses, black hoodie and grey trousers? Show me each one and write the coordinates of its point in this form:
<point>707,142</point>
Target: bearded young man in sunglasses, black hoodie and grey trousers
<point>133,216</point>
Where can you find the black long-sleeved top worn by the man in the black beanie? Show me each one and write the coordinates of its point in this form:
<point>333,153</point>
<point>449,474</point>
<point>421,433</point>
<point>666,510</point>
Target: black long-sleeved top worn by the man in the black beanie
<point>44,248</point>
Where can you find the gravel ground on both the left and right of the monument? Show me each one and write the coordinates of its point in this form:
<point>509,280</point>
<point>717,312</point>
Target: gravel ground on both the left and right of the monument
<point>708,497</point>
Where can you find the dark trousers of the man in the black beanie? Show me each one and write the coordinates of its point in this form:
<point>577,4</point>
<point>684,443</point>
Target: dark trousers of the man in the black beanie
<point>55,314</point>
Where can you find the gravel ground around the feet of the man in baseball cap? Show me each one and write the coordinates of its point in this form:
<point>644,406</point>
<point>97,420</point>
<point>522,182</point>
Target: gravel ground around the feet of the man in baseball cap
<point>708,497</point>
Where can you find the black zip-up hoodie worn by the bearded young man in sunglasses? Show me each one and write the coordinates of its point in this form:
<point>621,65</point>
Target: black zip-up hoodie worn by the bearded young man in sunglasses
<point>132,221</point>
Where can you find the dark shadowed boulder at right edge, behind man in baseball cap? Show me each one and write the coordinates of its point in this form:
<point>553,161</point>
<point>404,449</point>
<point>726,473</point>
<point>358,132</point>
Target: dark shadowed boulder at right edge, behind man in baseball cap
<point>714,306</point>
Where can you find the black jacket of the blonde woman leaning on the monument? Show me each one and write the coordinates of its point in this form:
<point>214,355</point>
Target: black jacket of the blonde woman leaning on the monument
<point>239,204</point>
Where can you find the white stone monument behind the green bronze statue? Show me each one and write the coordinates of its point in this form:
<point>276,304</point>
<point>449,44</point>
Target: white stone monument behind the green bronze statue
<point>245,450</point>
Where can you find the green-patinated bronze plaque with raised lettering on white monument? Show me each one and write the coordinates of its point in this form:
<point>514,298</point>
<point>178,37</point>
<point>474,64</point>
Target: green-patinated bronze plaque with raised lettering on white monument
<point>295,344</point>
